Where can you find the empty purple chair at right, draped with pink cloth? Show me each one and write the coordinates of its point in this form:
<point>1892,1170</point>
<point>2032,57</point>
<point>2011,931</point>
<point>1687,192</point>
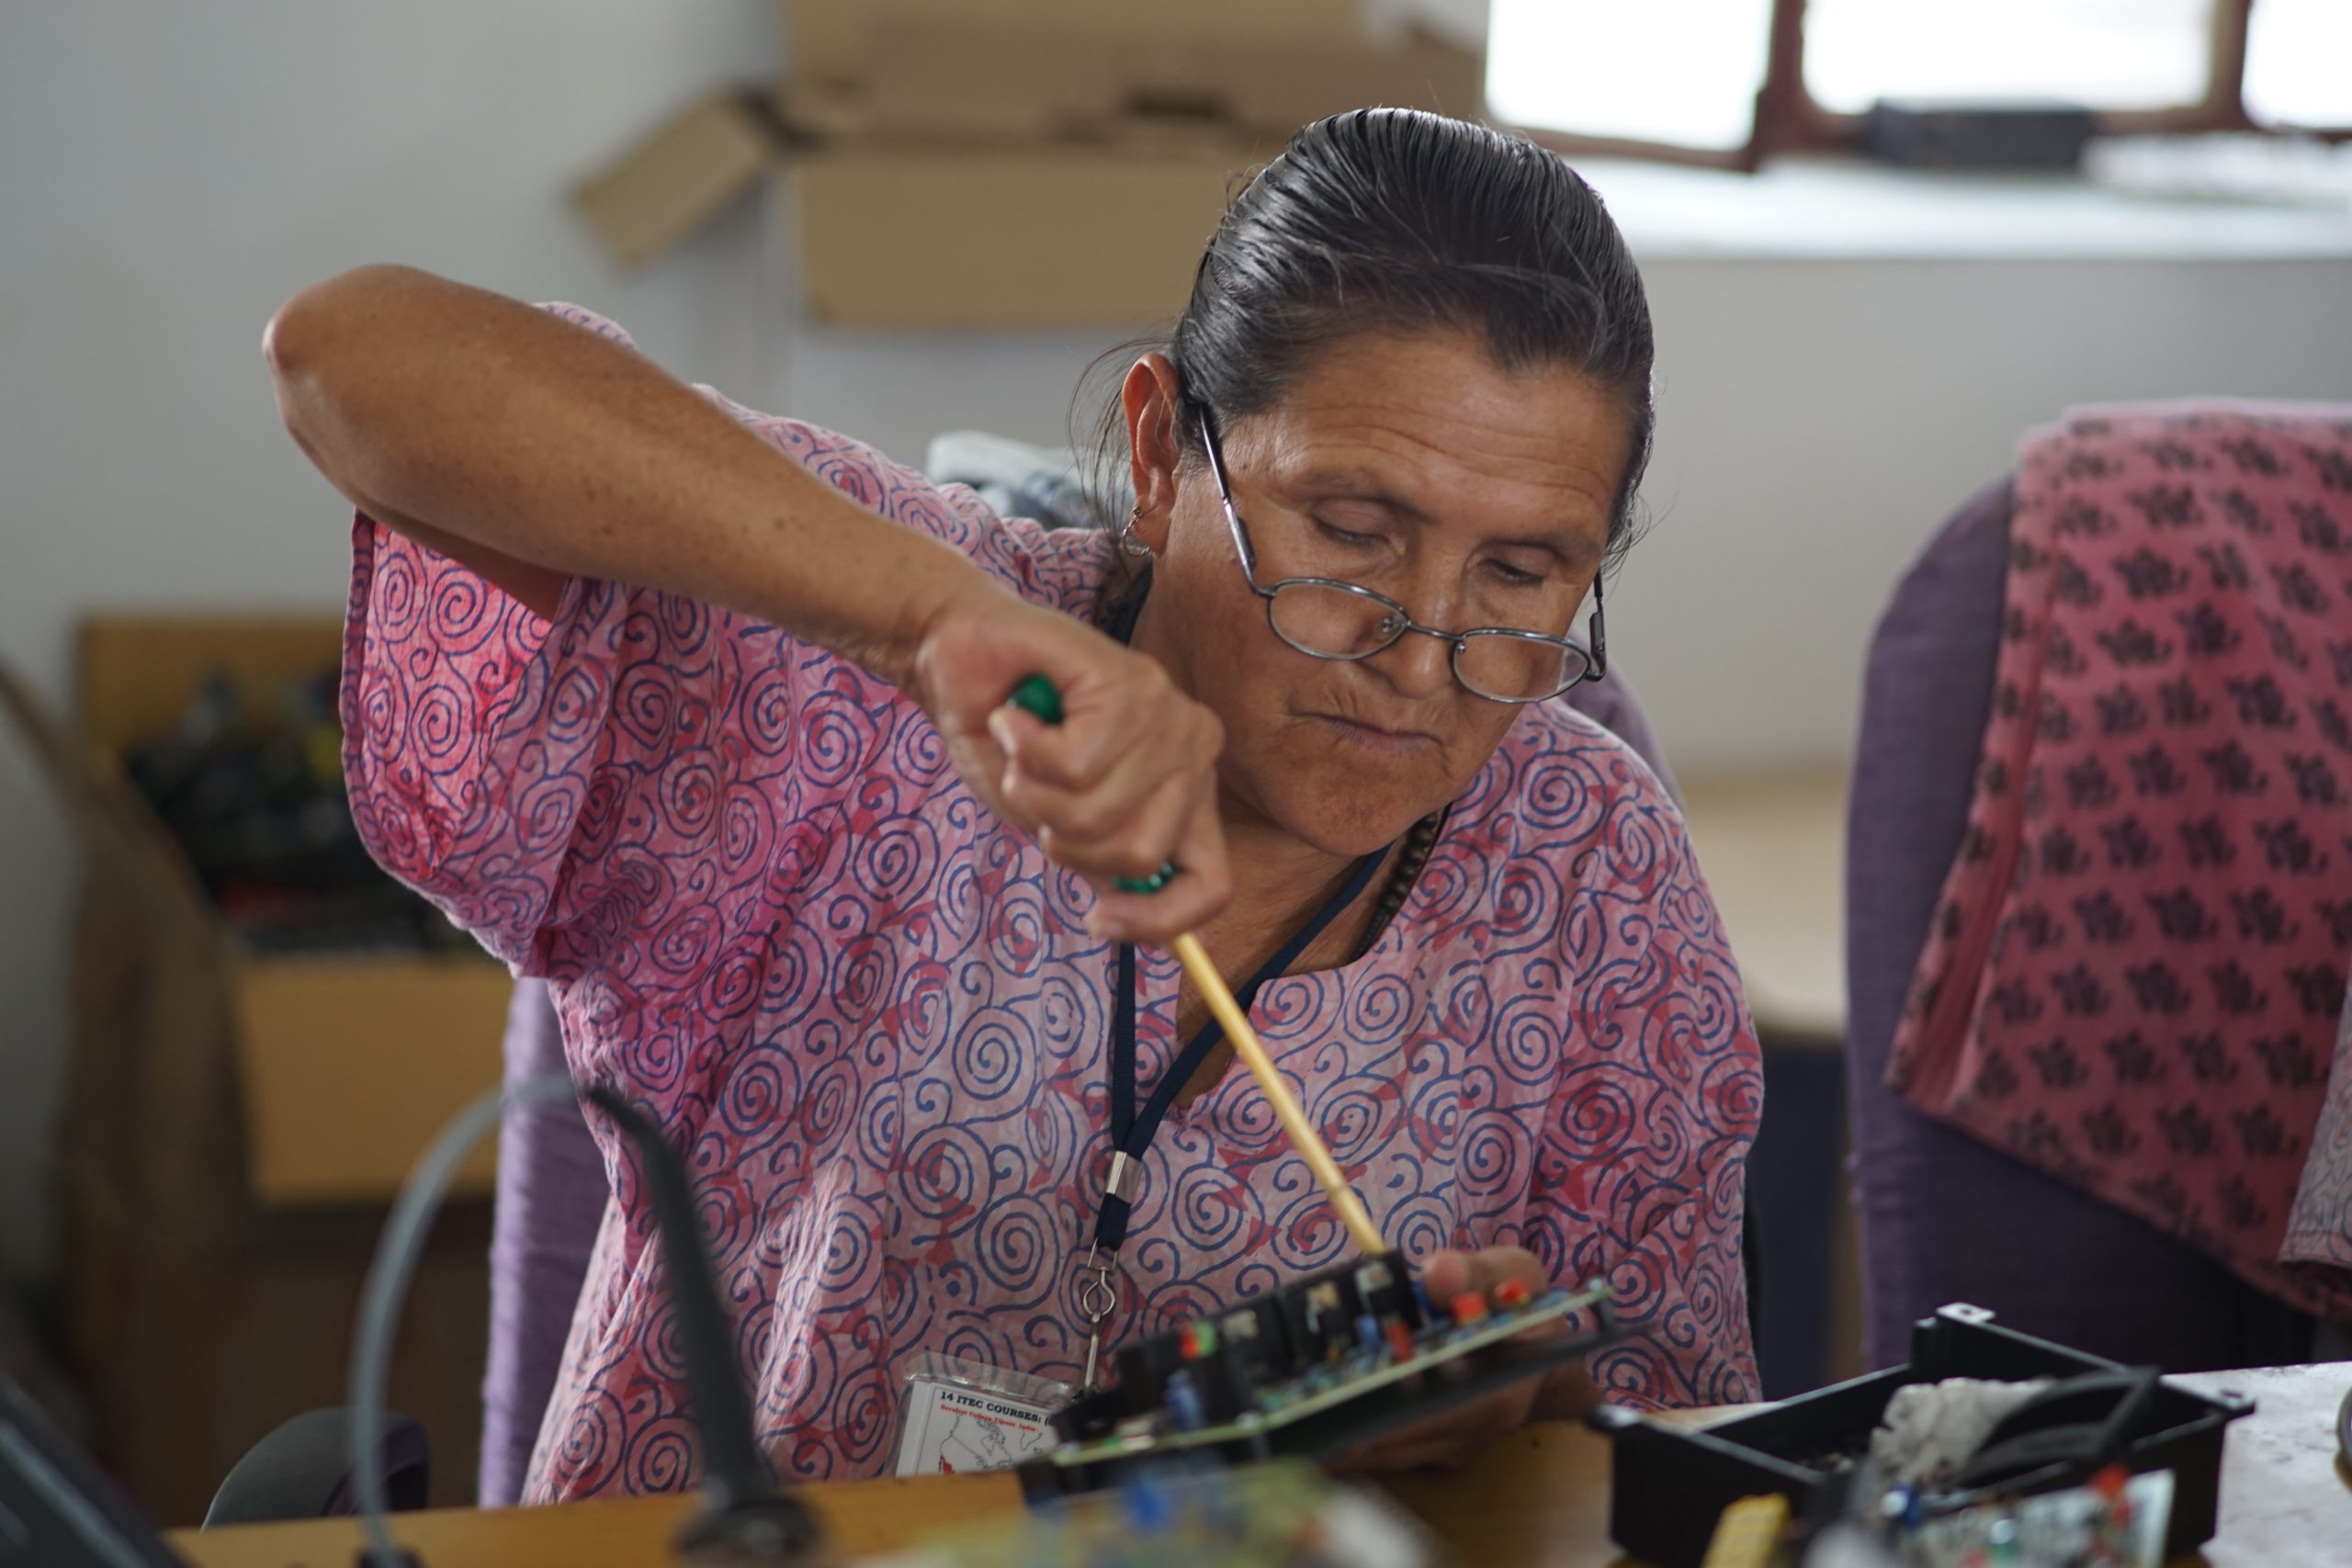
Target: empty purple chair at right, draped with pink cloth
<point>1942,1214</point>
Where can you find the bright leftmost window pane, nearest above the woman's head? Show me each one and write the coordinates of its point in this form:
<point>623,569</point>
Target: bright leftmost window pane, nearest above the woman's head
<point>1678,72</point>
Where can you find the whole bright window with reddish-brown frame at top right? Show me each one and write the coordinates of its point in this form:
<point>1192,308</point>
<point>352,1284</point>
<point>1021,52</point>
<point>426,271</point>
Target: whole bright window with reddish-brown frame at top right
<point>1730,81</point>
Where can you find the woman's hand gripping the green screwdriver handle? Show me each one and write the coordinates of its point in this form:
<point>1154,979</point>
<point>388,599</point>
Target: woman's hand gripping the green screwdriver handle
<point>1123,786</point>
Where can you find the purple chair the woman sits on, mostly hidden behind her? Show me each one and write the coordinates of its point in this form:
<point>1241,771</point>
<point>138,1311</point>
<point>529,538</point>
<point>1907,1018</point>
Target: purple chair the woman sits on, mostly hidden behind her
<point>554,1188</point>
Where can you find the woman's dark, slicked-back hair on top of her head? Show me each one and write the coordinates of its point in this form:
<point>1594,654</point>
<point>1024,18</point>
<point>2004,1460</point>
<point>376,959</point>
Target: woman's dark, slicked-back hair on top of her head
<point>1403,222</point>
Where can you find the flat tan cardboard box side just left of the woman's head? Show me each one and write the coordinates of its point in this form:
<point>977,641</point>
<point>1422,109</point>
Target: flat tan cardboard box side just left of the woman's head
<point>1005,239</point>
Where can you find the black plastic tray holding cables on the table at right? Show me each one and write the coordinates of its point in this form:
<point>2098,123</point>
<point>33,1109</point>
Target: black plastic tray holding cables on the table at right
<point>1671,1485</point>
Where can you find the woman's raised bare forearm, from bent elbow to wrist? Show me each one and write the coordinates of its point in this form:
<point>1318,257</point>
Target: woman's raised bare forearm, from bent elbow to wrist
<point>540,453</point>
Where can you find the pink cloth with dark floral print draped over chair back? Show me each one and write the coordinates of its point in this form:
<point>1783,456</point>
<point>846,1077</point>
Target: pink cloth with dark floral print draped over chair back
<point>2139,960</point>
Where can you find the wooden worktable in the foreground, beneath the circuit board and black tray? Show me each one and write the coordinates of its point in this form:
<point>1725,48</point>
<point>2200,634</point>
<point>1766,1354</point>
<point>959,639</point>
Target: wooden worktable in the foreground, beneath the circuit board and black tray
<point>1539,1499</point>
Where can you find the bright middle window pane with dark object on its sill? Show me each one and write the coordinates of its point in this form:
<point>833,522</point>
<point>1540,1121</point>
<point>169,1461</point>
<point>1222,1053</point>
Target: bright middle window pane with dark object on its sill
<point>2092,53</point>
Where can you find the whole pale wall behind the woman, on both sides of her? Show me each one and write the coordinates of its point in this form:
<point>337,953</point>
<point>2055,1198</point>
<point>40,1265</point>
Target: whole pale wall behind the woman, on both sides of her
<point>175,170</point>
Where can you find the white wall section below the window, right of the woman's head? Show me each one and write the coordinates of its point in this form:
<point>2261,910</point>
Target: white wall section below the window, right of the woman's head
<point>1819,417</point>
